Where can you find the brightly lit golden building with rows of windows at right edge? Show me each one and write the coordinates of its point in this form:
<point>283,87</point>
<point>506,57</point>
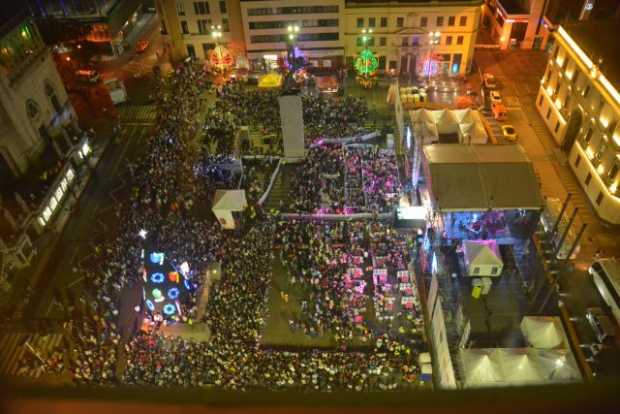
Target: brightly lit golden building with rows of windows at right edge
<point>580,104</point>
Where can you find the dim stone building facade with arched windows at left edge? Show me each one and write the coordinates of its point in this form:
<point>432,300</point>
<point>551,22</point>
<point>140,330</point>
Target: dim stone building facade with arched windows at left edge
<point>34,105</point>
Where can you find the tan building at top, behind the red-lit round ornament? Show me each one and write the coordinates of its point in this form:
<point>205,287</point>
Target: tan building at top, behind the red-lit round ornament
<point>186,25</point>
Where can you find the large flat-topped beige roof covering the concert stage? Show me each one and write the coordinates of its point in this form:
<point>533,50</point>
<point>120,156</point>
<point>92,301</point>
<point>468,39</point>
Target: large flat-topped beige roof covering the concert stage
<point>482,177</point>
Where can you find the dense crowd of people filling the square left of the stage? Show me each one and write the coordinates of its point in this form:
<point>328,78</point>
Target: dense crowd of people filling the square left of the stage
<point>109,342</point>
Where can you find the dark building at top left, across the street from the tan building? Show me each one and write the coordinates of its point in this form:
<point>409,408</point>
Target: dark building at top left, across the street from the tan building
<point>107,22</point>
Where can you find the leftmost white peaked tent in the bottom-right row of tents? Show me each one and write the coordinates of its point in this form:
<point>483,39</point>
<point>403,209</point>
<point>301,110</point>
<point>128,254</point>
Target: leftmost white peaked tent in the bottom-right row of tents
<point>480,367</point>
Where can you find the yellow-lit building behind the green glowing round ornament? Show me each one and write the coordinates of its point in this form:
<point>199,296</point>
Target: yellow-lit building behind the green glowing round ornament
<point>401,33</point>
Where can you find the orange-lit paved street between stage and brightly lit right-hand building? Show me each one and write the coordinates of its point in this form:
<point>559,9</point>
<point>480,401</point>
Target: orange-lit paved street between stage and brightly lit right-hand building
<point>519,74</point>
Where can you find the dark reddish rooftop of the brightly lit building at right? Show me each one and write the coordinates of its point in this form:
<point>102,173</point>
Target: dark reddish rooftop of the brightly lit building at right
<point>588,36</point>
